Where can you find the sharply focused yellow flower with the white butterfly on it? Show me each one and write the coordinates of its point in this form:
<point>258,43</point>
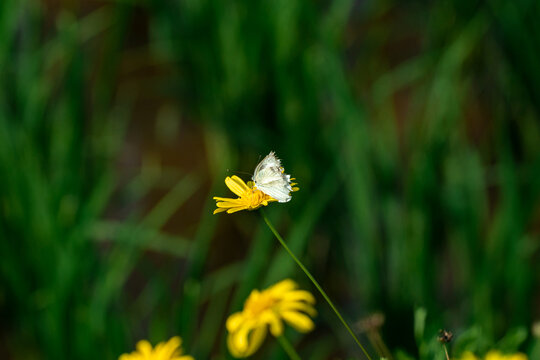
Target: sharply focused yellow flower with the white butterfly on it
<point>249,198</point>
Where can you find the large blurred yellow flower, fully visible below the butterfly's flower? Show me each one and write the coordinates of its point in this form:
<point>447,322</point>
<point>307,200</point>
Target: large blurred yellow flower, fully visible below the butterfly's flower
<point>268,308</point>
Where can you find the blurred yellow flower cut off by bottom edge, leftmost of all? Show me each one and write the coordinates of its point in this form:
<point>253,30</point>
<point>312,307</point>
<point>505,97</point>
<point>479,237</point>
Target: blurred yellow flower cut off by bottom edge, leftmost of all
<point>169,350</point>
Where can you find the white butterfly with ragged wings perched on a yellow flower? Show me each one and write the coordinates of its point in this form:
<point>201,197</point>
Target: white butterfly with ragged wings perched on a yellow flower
<point>269,177</point>
